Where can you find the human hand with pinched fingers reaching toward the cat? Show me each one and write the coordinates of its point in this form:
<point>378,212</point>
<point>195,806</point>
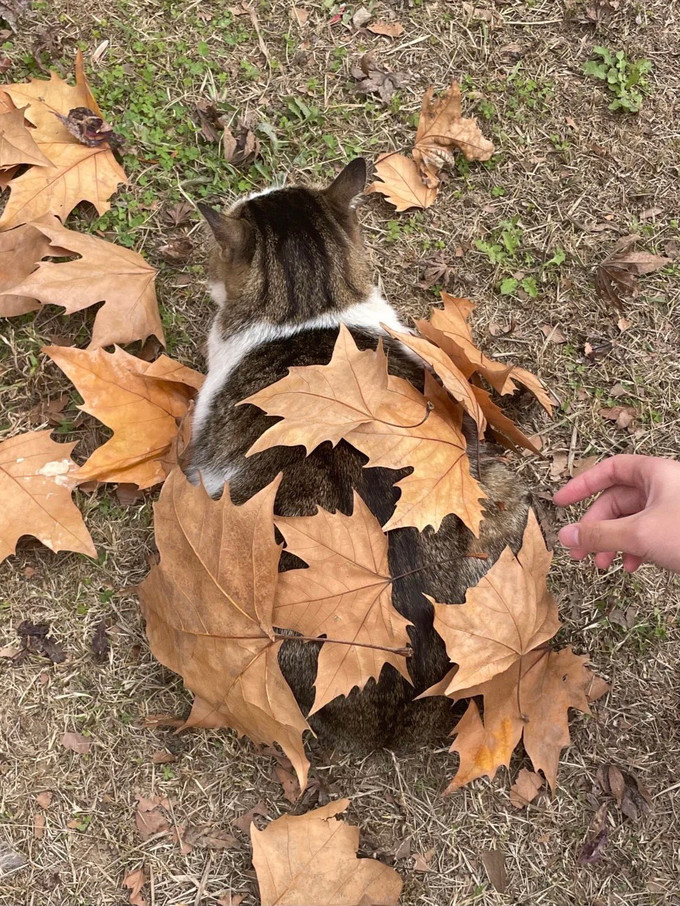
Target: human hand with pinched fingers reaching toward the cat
<point>638,512</point>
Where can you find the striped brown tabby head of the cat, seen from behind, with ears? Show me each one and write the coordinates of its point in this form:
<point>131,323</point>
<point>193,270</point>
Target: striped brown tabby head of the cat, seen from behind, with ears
<point>290,254</point>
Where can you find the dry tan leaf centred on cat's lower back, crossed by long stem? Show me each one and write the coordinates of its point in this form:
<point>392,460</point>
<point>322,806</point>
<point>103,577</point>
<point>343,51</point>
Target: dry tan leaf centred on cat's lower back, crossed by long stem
<point>346,594</point>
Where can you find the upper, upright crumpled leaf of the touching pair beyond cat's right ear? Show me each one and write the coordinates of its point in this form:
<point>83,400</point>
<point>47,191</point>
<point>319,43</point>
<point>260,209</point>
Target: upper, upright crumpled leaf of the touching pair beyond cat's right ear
<point>441,130</point>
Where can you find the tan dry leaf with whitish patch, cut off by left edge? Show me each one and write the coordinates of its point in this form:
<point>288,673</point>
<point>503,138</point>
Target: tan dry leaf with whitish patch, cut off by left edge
<point>37,476</point>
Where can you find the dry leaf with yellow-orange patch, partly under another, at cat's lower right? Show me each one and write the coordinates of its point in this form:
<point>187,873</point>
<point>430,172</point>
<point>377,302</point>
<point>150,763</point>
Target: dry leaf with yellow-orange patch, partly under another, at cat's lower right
<point>531,700</point>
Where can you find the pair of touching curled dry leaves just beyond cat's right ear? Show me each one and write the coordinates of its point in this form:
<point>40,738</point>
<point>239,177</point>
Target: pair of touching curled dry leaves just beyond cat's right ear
<point>413,182</point>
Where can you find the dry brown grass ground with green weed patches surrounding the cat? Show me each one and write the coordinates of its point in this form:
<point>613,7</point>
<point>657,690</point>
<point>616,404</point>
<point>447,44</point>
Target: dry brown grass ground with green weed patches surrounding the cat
<point>577,177</point>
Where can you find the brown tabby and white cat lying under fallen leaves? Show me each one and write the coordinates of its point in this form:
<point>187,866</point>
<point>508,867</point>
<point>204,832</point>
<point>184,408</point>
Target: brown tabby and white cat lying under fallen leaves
<point>287,268</point>
